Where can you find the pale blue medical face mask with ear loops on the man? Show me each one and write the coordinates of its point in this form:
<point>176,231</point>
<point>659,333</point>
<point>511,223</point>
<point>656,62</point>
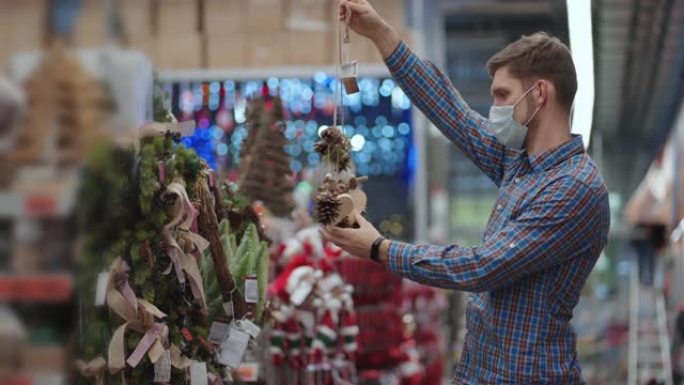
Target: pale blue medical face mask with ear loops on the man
<point>504,127</point>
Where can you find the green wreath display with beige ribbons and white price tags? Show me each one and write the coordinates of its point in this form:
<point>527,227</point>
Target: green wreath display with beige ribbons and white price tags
<point>170,292</point>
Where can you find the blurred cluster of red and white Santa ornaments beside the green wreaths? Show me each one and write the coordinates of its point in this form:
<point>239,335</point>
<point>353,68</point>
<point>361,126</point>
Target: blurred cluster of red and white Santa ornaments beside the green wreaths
<point>314,333</point>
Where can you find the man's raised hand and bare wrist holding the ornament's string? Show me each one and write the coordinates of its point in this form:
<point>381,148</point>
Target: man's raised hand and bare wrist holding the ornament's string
<point>365,20</point>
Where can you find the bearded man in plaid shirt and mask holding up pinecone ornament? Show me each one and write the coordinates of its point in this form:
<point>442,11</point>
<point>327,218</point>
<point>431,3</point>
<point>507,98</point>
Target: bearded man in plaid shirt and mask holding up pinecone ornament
<point>549,224</point>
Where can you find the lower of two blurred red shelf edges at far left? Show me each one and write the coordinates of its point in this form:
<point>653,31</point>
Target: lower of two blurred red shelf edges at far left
<point>48,287</point>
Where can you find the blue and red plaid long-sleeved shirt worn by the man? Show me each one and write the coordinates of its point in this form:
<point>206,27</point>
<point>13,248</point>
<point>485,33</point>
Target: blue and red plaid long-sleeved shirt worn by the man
<point>545,233</point>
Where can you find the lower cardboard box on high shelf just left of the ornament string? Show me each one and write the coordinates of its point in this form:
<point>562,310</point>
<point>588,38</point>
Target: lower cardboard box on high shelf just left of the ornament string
<point>309,48</point>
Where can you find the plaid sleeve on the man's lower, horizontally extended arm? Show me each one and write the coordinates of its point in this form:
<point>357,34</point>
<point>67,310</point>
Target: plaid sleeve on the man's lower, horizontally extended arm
<point>556,226</point>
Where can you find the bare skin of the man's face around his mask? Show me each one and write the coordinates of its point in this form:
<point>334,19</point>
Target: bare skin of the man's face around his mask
<point>506,90</point>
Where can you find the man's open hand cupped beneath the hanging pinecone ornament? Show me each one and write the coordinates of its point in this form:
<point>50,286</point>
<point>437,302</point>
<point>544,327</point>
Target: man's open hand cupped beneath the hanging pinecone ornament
<point>357,242</point>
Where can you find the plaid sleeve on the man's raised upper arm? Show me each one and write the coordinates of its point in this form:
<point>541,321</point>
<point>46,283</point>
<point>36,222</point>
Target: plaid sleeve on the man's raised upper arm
<point>434,94</point>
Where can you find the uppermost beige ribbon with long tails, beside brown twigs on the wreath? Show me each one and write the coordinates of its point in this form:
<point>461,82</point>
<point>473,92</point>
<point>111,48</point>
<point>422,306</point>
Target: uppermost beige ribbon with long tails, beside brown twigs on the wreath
<point>186,245</point>
